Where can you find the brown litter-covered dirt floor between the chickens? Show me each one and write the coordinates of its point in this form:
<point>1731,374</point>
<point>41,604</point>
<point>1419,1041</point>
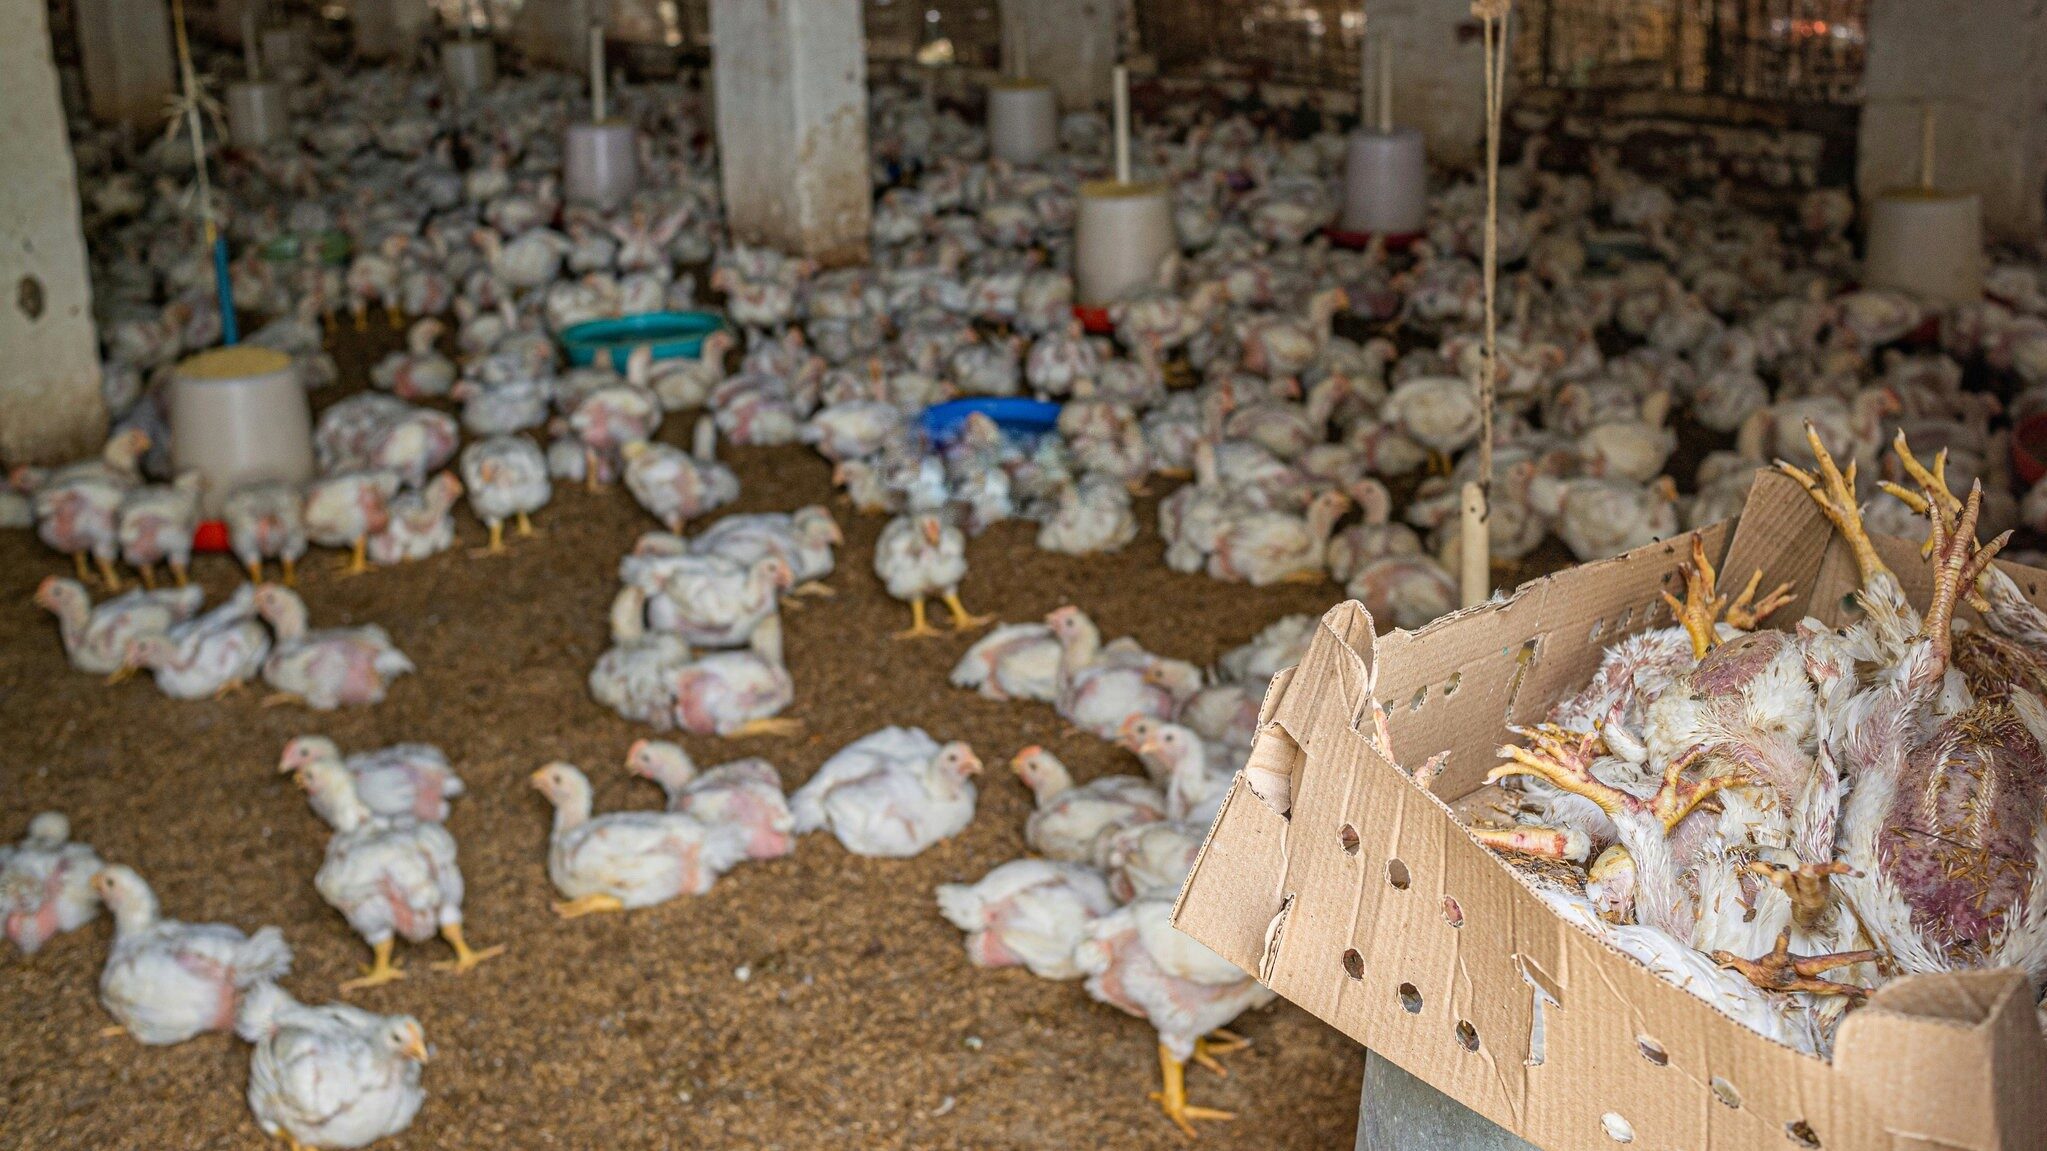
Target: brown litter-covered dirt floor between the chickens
<point>803,1005</point>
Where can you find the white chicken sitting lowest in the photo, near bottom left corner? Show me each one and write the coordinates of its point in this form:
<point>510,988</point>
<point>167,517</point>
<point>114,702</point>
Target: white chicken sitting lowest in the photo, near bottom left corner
<point>331,1076</point>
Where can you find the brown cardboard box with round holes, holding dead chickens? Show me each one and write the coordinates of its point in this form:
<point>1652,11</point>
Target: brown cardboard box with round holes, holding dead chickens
<point>1373,908</point>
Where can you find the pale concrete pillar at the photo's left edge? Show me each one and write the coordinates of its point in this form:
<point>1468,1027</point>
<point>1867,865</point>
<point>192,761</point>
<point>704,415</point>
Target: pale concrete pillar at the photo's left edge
<point>50,394</point>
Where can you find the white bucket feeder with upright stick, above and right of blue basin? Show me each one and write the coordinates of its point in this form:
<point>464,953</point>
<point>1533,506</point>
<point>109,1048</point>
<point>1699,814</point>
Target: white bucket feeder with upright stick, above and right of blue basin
<point>1125,228</point>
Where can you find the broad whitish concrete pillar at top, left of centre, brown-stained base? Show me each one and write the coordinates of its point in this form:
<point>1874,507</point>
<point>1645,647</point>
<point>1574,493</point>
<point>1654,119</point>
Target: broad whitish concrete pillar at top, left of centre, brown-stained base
<point>793,126</point>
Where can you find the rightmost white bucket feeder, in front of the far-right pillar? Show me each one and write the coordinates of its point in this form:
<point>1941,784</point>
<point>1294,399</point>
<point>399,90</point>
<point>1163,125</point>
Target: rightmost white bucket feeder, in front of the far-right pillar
<point>1927,241</point>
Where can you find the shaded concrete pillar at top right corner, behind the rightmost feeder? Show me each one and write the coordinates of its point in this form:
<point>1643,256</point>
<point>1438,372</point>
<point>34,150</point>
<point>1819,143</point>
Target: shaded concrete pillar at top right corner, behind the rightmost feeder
<point>1980,67</point>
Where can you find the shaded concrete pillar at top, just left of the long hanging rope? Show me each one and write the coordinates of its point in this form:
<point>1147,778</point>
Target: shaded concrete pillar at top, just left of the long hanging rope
<point>1440,73</point>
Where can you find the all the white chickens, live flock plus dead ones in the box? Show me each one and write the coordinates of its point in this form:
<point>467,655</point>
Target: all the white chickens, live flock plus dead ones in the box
<point>1626,312</point>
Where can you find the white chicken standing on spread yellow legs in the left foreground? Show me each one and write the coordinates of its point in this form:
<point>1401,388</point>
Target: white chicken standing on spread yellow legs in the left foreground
<point>390,878</point>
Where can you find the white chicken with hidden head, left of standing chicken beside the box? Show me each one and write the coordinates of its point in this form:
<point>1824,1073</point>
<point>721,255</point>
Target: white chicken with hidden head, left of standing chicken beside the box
<point>1029,912</point>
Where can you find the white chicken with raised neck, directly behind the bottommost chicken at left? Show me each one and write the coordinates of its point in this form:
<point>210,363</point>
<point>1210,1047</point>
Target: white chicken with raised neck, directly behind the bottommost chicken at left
<point>167,982</point>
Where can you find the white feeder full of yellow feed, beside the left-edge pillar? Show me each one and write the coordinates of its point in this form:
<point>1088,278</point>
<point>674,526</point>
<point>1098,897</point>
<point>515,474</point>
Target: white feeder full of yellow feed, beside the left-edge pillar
<point>241,417</point>
